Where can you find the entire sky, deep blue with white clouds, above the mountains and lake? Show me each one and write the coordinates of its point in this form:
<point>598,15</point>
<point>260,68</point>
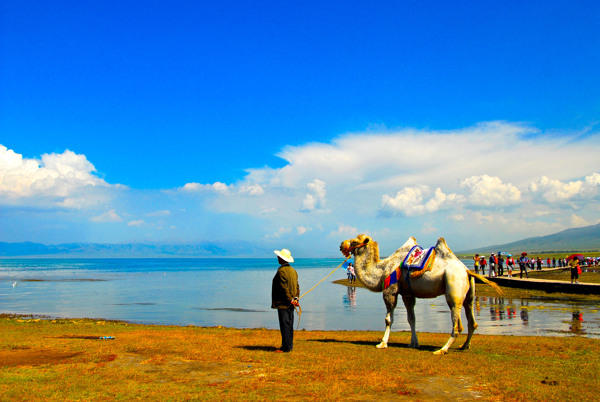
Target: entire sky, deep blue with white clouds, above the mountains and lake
<point>298,124</point>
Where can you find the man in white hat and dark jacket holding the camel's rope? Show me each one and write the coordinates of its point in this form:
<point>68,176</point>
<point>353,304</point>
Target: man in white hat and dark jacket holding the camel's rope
<point>284,296</point>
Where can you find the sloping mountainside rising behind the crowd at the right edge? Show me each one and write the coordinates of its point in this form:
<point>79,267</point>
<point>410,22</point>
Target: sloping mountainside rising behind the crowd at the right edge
<point>578,239</point>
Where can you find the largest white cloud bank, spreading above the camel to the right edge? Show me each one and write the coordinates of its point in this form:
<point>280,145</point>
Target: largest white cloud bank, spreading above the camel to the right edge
<point>507,179</point>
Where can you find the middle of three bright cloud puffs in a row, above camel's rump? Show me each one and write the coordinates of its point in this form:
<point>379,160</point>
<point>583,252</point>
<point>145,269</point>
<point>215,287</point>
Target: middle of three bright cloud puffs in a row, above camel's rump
<point>490,191</point>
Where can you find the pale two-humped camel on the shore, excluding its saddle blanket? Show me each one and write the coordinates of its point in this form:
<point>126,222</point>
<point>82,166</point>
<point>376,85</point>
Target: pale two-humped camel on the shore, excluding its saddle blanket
<point>448,276</point>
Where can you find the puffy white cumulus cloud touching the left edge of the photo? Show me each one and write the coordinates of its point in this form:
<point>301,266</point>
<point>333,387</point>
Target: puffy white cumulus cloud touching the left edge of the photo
<point>62,177</point>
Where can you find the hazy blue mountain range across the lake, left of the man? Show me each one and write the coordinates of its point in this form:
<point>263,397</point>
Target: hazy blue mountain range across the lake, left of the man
<point>95,250</point>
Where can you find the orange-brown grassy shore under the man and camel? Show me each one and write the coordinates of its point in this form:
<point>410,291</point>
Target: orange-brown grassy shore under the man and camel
<point>67,360</point>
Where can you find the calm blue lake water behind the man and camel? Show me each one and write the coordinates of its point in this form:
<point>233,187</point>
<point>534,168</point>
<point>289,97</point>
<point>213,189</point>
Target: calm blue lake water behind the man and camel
<point>237,292</point>
